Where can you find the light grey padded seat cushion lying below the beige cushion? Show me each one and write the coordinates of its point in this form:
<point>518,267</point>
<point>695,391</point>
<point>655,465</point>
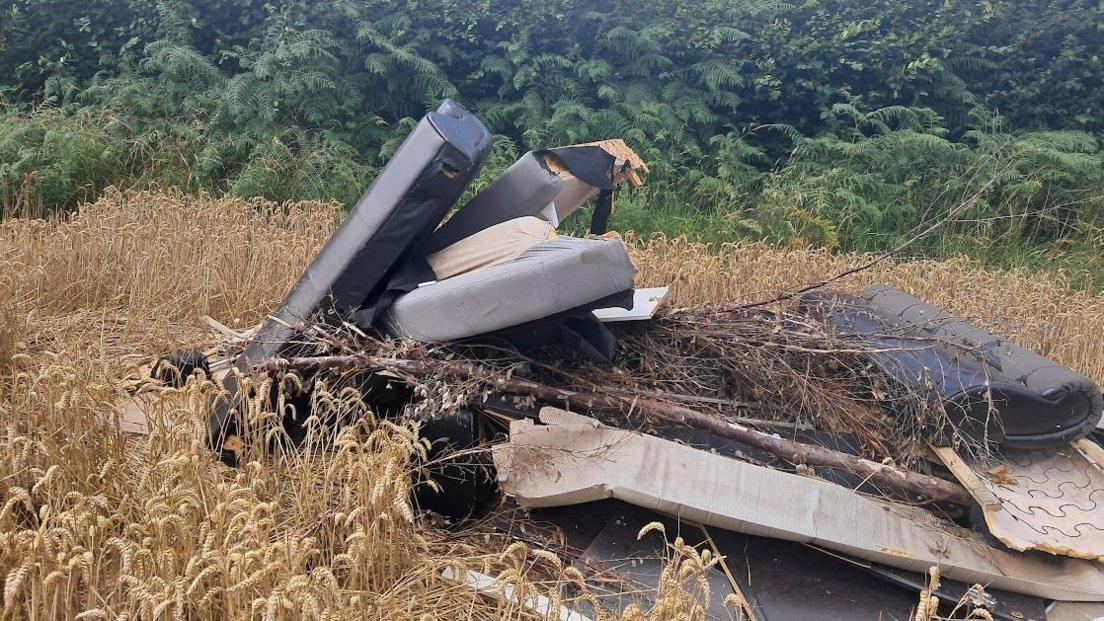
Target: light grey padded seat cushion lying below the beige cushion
<point>551,278</point>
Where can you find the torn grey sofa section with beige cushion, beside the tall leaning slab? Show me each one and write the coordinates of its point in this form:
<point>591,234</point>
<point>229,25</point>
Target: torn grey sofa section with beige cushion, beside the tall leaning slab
<point>521,273</point>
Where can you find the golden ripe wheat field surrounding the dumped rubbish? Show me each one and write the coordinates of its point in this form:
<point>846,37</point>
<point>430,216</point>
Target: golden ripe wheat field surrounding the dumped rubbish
<point>99,525</point>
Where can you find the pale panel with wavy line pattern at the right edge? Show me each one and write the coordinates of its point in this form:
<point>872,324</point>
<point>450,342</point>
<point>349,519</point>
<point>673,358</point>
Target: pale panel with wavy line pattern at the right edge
<point>1042,500</point>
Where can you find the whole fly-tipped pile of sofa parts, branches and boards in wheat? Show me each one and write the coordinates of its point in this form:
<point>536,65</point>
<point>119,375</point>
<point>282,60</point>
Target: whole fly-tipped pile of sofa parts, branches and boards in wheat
<point>832,449</point>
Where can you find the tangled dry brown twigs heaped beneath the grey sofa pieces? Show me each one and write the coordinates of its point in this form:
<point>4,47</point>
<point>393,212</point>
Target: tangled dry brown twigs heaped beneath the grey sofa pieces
<point>766,366</point>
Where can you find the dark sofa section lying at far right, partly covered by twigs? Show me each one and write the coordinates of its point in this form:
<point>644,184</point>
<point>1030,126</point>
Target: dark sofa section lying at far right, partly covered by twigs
<point>991,388</point>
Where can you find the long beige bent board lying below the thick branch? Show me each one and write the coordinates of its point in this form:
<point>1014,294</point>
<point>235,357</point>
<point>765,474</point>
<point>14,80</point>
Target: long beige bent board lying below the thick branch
<point>582,461</point>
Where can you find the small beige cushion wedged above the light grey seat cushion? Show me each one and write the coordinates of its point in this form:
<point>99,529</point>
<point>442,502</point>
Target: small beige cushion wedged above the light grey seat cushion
<point>491,247</point>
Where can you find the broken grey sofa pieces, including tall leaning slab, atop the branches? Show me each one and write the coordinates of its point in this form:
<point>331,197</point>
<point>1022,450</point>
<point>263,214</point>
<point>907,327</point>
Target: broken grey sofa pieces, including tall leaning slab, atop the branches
<point>495,270</point>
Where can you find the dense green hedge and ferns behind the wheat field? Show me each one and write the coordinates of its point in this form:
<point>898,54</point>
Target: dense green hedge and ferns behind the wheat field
<point>835,123</point>
